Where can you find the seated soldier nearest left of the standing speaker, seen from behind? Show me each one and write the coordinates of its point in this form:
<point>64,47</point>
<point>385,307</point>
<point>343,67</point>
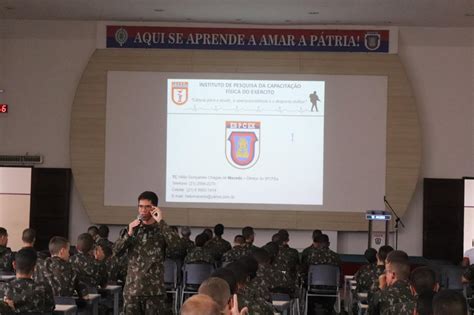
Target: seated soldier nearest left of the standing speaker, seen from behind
<point>90,271</point>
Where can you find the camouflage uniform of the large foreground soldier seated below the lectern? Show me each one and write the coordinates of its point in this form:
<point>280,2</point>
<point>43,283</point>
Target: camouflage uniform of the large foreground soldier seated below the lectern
<point>398,293</point>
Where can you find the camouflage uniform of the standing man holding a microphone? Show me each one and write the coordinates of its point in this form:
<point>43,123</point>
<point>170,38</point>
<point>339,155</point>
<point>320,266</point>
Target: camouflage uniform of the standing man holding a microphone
<point>144,291</point>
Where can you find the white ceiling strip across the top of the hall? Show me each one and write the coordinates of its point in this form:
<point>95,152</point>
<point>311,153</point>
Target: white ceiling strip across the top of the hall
<point>440,13</point>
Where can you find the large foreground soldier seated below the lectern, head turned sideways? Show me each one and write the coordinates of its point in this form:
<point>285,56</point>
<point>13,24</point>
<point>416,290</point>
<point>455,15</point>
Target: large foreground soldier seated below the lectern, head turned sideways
<point>394,287</point>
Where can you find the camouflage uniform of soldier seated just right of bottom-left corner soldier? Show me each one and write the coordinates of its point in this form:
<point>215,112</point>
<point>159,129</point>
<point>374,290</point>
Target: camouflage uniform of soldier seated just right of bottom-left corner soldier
<point>60,276</point>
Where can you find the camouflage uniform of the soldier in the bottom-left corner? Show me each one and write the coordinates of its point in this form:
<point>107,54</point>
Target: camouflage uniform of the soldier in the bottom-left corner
<point>28,296</point>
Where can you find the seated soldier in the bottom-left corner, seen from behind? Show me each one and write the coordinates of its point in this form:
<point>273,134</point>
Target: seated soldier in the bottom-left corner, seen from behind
<point>27,296</point>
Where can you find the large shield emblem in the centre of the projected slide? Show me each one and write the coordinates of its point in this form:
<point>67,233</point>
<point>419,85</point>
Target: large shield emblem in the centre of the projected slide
<point>242,147</point>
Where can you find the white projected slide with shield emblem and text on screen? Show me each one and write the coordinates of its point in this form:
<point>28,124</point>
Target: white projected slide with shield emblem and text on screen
<point>245,141</point>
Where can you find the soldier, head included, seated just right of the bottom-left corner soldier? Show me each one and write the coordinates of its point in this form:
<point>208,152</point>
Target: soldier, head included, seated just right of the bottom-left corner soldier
<point>57,271</point>
